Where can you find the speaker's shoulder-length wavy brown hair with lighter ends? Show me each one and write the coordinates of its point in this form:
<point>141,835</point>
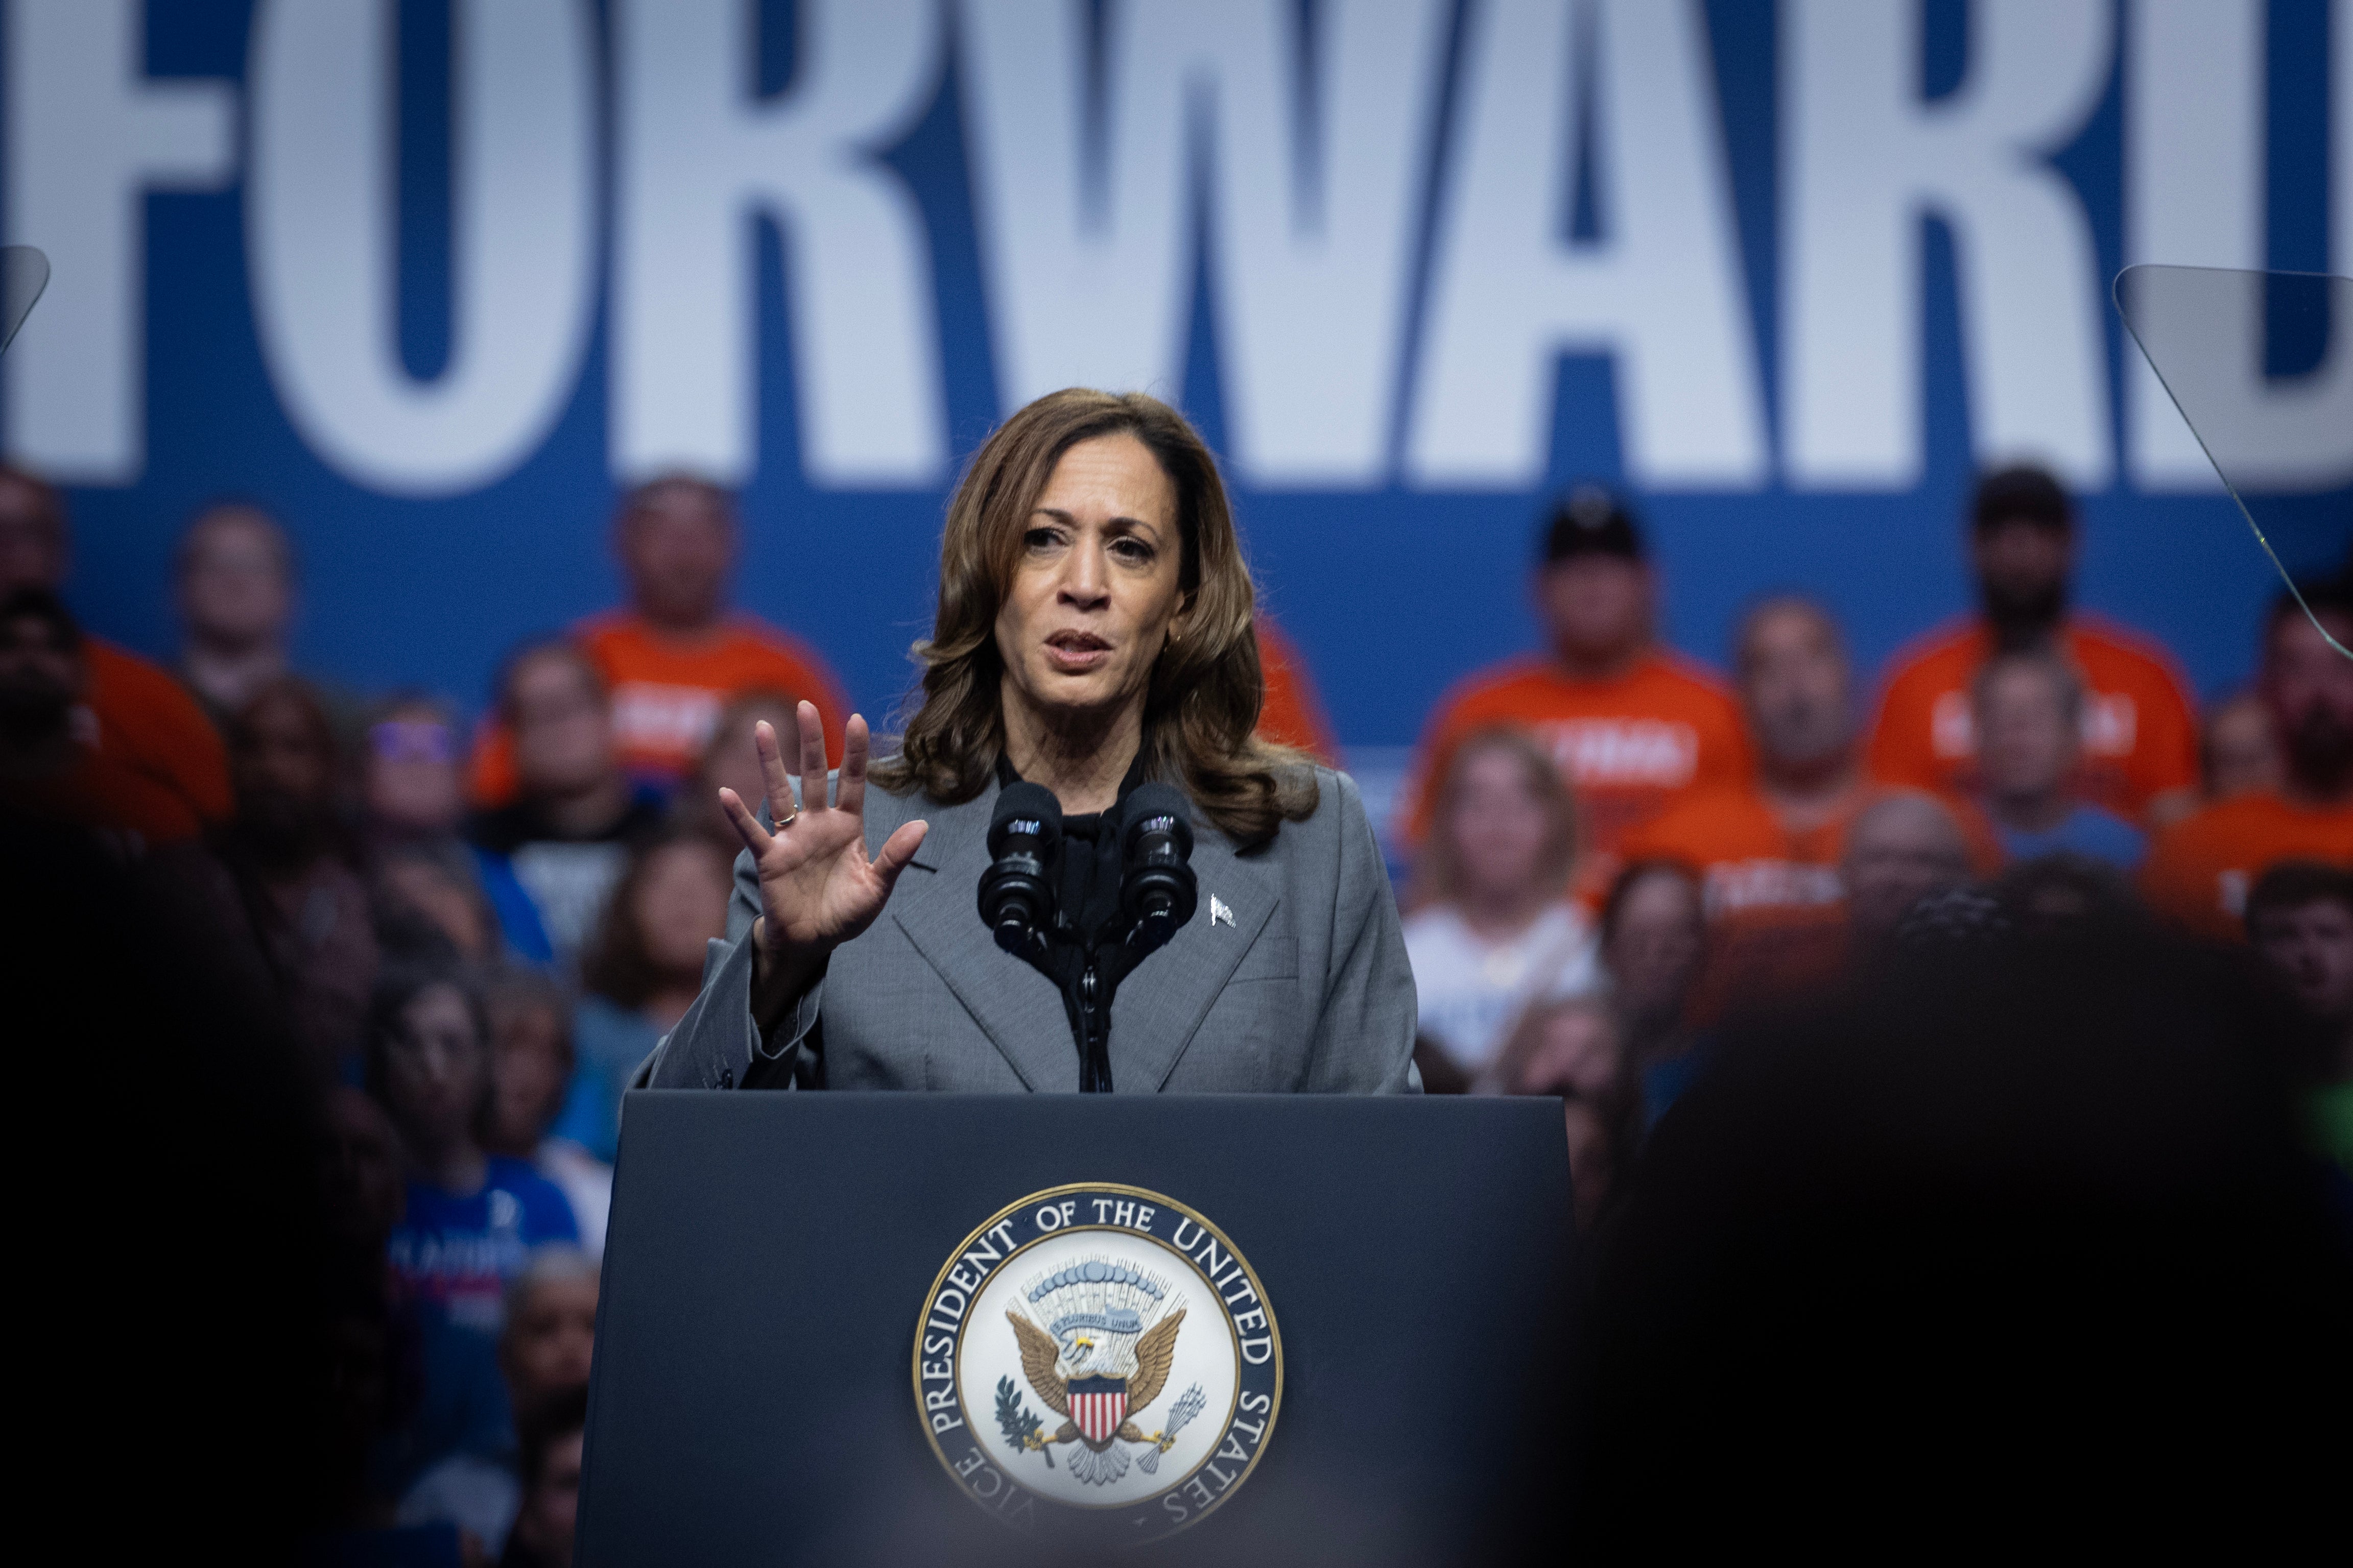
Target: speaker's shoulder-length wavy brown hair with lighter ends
<point>1206,688</point>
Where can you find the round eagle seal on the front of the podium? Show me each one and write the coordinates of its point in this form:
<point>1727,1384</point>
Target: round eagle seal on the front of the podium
<point>1098,1360</point>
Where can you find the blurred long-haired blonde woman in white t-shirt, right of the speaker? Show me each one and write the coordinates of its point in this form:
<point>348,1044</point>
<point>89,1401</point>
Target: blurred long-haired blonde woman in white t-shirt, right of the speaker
<point>1493,932</point>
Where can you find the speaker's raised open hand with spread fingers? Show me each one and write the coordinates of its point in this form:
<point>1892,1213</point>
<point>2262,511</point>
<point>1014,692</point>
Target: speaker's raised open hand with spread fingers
<point>818,887</point>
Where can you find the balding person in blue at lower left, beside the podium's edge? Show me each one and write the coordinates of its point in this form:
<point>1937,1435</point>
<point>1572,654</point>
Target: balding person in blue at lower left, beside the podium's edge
<point>545,1358</point>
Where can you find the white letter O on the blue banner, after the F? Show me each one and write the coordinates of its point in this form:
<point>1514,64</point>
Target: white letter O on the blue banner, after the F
<point>324,236</point>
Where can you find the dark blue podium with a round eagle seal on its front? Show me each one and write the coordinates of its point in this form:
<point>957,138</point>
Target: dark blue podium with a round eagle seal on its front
<point>1039,1329</point>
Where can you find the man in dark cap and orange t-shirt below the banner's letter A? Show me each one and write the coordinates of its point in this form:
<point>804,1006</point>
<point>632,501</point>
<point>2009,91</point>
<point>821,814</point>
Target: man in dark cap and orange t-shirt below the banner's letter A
<point>1629,725</point>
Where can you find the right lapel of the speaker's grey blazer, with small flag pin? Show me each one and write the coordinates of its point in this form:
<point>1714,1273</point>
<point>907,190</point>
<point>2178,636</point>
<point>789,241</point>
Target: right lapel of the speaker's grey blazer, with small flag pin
<point>1168,996</point>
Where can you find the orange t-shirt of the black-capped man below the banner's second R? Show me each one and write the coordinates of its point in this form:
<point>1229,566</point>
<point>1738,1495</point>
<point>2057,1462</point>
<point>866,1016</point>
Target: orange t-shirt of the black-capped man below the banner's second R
<point>2140,730</point>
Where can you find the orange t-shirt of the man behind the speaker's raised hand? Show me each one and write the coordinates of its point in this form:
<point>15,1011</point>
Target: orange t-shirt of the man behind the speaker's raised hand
<point>667,695</point>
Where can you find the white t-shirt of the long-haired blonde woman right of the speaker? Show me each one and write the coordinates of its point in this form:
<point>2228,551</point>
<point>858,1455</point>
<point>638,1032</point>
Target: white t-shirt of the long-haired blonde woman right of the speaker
<point>1472,991</point>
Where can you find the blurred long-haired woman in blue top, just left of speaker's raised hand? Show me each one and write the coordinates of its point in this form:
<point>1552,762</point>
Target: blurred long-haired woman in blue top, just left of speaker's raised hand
<point>641,974</point>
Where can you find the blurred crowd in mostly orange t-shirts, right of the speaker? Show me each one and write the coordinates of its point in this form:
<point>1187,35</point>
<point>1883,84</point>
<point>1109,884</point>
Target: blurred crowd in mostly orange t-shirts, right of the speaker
<point>1622,859</point>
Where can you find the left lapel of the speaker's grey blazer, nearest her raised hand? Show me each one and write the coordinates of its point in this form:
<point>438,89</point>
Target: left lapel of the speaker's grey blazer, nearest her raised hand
<point>1013,1003</point>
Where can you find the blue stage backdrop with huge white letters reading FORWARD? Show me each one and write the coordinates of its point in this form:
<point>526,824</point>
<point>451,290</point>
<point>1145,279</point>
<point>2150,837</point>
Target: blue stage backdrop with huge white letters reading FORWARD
<point>432,279</point>
